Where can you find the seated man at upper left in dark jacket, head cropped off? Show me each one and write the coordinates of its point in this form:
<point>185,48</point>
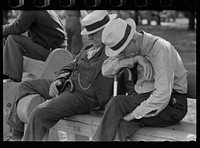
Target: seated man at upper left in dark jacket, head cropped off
<point>46,33</point>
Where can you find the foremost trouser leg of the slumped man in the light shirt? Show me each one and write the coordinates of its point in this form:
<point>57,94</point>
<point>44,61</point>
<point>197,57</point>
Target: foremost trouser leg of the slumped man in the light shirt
<point>115,110</point>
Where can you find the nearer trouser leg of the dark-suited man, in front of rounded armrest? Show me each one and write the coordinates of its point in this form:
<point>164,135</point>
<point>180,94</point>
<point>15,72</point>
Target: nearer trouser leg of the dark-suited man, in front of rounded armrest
<point>47,114</point>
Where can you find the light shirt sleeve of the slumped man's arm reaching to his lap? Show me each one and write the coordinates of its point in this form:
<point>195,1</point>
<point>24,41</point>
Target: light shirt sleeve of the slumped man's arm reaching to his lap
<point>162,63</point>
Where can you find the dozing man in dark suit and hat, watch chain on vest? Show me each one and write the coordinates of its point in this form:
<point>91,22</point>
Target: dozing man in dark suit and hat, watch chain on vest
<point>86,87</point>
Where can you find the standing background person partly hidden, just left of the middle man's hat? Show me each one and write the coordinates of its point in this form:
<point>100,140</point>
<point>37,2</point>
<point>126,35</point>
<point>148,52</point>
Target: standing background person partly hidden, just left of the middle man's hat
<point>73,28</point>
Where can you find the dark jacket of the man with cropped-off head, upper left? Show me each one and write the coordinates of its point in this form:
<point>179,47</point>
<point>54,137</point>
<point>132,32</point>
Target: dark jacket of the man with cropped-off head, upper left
<point>44,27</point>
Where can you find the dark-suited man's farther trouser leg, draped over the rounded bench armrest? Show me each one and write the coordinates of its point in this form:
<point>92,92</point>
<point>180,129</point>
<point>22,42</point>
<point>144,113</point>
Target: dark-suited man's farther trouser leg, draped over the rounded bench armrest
<point>38,86</point>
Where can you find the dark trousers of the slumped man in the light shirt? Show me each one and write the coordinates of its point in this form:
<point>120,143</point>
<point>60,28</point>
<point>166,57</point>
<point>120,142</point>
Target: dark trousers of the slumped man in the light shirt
<point>119,106</point>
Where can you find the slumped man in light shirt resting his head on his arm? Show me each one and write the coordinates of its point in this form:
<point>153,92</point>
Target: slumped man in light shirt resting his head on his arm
<point>160,99</point>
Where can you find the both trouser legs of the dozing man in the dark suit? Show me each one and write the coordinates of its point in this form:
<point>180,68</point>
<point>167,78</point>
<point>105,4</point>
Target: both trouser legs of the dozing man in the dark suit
<point>47,114</point>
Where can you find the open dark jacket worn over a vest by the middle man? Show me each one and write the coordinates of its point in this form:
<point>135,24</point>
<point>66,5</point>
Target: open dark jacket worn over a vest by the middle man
<point>103,85</point>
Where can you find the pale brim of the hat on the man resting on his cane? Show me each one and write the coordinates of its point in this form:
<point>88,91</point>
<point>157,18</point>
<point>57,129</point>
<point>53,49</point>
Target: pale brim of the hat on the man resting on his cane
<point>112,53</point>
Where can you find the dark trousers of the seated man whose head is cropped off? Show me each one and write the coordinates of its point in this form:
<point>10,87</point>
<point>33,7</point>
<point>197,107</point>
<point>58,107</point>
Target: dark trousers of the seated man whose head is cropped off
<point>17,46</point>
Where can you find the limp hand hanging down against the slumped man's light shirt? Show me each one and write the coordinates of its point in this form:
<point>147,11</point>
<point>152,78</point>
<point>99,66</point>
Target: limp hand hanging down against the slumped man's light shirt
<point>148,70</point>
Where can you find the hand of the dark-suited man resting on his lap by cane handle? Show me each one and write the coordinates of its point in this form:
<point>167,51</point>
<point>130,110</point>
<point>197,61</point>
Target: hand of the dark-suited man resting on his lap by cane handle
<point>53,90</point>
